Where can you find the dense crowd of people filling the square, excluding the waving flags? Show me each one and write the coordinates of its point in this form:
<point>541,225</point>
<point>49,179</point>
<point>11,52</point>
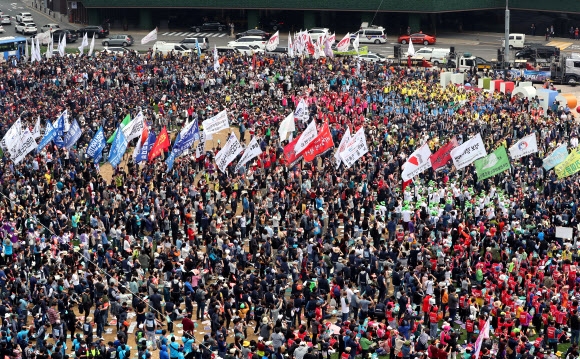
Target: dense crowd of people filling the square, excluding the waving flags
<point>307,260</point>
